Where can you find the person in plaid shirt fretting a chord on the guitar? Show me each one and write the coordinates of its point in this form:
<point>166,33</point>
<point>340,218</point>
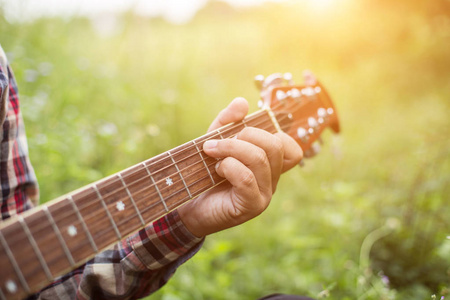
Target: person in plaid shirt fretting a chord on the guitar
<point>144,262</point>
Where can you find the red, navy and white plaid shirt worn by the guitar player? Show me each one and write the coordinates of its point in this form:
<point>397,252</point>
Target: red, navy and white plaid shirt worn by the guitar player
<point>133,268</point>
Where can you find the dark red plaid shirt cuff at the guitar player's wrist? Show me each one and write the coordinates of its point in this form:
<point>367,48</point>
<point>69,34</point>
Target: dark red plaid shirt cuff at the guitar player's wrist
<point>163,242</point>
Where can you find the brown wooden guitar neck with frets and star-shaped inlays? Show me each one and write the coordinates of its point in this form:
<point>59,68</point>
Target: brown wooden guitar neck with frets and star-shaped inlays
<point>61,235</point>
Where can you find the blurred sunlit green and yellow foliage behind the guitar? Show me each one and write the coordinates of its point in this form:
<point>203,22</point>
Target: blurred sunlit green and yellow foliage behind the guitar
<point>366,219</point>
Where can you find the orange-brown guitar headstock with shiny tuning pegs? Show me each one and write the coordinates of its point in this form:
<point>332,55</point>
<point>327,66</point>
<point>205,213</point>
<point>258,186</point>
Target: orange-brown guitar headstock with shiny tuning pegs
<point>303,111</point>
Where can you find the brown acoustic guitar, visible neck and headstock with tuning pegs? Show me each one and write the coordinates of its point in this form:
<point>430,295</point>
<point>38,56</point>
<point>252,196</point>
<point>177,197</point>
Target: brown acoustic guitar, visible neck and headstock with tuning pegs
<point>58,236</point>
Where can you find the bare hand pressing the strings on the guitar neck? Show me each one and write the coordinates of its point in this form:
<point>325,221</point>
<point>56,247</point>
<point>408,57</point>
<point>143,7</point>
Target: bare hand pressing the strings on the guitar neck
<point>252,163</point>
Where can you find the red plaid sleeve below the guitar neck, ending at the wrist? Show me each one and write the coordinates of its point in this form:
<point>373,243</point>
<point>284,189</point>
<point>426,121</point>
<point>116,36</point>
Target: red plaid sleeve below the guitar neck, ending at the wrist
<point>134,268</point>
